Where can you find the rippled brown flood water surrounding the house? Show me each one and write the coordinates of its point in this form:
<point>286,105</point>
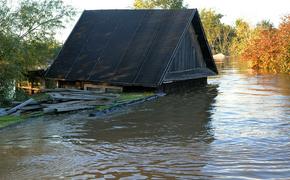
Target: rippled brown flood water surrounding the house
<point>238,127</point>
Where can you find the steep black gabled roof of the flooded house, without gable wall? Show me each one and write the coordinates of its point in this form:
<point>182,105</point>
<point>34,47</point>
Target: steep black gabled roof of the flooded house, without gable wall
<point>126,47</point>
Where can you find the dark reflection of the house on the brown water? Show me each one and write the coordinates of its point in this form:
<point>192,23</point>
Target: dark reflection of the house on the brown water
<point>185,116</point>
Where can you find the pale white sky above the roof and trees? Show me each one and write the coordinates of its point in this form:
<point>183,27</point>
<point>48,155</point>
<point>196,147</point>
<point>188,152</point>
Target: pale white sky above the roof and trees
<point>252,11</point>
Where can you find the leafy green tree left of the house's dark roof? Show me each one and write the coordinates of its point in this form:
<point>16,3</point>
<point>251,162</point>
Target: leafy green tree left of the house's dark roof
<point>27,37</point>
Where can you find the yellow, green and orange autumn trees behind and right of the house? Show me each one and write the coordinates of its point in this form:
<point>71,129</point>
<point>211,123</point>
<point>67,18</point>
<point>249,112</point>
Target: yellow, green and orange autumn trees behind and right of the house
<point>265,47</point>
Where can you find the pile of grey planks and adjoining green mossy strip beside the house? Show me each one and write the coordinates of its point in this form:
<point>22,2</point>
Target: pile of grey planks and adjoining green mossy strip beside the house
<point>65,100</point>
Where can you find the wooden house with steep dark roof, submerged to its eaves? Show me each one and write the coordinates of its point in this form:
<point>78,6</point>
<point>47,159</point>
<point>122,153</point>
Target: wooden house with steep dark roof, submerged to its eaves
<point>128,50</point>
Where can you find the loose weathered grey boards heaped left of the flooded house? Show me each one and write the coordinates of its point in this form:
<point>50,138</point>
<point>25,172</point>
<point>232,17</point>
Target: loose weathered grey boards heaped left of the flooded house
<point>65,100</point>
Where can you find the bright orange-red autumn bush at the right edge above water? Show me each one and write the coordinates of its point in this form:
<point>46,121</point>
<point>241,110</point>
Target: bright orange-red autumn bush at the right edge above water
<point>269,49</point>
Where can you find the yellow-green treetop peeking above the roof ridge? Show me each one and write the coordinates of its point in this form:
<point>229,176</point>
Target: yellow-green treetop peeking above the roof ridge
<point>164,4</point>
